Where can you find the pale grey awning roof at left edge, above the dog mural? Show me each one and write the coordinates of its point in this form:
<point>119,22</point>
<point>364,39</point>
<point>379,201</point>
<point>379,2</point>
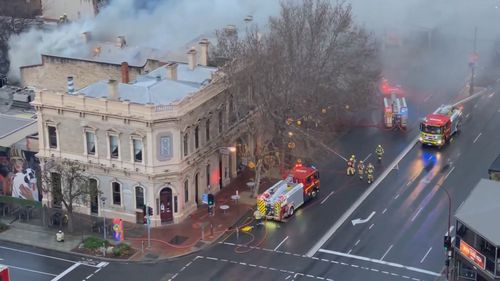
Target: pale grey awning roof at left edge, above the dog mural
<point>16,128</point>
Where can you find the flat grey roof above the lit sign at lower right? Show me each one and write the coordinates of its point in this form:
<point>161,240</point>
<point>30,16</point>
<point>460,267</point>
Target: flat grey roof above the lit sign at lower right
<point>479,210</point>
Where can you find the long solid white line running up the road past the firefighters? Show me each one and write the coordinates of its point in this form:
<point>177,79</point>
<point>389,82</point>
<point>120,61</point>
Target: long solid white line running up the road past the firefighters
<point>360,200</point>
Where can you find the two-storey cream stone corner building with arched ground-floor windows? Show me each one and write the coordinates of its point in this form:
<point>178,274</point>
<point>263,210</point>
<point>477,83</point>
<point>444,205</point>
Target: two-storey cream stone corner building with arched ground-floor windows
<point>163,139</point>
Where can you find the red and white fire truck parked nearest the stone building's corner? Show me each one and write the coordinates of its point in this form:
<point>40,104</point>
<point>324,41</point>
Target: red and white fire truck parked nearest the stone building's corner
<point>282,199</point>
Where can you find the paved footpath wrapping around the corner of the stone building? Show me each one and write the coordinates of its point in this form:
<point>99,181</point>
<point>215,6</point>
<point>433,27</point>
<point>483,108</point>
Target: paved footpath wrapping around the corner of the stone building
<point>196,232</point>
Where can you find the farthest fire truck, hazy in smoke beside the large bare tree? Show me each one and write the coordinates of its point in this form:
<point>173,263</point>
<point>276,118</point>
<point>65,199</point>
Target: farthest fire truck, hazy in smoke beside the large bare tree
<point>395,107</point>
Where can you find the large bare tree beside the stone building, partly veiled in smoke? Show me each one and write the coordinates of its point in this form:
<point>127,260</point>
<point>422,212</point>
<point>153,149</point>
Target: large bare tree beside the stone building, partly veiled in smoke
<point>309,71</point>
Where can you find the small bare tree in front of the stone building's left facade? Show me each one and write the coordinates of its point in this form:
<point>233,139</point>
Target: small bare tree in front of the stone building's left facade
<point>68,184</point>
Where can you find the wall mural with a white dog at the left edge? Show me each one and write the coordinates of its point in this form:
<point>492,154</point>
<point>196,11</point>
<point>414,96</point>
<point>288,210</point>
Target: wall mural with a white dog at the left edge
<point>18,175</point>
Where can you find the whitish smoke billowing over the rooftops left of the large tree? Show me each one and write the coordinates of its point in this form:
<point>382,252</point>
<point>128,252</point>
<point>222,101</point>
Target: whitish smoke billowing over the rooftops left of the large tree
<point>160,24</point>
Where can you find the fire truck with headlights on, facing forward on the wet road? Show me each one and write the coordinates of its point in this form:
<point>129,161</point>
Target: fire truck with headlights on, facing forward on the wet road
<point>437,128</point>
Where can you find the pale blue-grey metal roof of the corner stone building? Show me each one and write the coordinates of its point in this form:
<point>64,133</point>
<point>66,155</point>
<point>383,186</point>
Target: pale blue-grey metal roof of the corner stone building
<point>155,88</point>
